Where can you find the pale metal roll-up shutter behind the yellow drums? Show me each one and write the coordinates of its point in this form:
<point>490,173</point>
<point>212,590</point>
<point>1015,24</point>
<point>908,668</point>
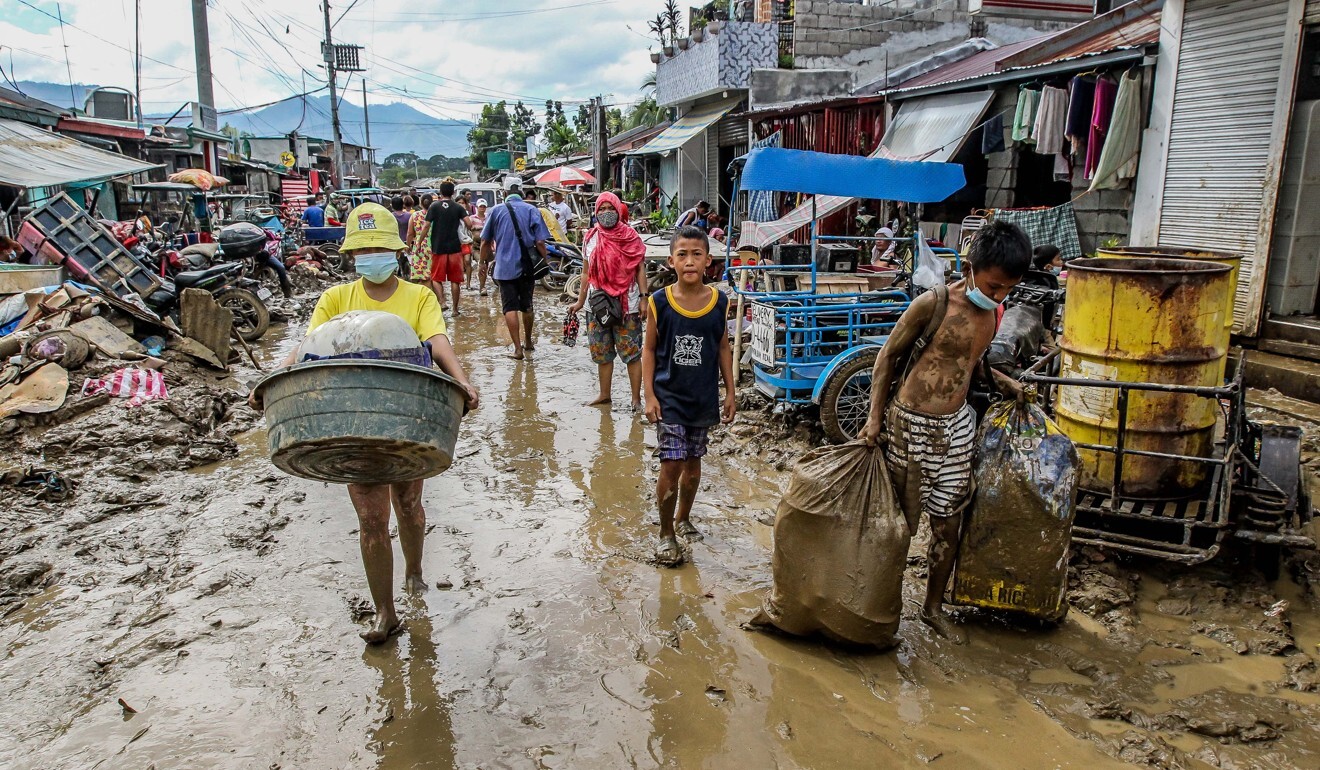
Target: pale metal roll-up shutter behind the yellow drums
<point>1220,153</point>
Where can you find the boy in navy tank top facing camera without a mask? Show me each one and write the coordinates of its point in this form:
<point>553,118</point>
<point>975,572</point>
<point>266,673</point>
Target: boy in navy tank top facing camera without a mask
<point>684,356</point>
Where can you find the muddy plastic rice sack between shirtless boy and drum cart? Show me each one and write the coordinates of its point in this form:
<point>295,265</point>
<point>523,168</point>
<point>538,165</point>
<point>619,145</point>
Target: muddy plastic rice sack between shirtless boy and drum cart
<point>1014,549</point>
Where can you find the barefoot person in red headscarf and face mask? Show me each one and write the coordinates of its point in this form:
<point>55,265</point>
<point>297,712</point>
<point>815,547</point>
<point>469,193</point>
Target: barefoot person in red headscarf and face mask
<point>616,261</point>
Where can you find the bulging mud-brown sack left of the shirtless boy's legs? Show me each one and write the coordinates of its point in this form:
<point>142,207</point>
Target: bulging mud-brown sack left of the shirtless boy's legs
<point>840,550</point>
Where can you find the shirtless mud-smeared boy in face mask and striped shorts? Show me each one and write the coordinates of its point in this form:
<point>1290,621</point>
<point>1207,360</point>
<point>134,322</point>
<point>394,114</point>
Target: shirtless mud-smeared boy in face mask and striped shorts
<point>930,427</point>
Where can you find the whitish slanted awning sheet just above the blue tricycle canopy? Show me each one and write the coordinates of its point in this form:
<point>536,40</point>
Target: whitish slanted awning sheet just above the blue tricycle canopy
<point>935,127</point>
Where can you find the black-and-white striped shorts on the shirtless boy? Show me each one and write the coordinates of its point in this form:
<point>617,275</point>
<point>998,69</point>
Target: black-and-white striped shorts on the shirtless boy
<point>939,448</point>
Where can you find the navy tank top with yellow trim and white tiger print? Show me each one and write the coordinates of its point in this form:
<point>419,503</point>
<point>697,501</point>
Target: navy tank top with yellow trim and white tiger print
<point>688,359</point>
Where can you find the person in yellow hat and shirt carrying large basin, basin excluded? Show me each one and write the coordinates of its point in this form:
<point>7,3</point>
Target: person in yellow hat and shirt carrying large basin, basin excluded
<point>374,245</point>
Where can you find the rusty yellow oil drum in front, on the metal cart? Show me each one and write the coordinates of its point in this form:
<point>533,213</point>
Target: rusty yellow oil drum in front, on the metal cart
<point>1144,320</point>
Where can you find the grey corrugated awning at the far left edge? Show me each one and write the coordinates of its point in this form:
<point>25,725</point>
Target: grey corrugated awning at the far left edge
<point>31,158</point>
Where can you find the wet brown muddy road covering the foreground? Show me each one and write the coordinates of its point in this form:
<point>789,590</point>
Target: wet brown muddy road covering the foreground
<point>224,603</point>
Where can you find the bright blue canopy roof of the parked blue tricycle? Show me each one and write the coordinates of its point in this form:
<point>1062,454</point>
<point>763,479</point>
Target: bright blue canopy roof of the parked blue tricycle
<point>819,174</point>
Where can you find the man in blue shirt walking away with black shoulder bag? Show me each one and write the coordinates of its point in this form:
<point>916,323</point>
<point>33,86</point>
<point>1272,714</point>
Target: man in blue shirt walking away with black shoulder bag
<point>510,229</point>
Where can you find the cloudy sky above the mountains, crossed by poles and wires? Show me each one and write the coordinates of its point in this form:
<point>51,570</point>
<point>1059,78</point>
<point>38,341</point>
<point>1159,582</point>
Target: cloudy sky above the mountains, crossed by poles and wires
<point>443,57</point>
